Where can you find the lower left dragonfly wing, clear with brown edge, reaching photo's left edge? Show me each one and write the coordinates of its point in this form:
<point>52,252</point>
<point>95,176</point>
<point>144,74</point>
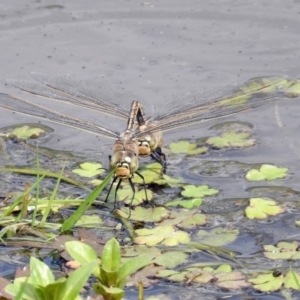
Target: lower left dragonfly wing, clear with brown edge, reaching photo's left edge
<point>25,107</point>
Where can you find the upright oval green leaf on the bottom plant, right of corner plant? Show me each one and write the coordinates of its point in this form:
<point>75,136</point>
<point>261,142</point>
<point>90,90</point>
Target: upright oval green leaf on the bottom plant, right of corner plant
<point>111,256</point>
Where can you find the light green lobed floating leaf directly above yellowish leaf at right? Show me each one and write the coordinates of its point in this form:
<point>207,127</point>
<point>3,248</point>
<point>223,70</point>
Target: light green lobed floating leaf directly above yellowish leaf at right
<point>266,172</point>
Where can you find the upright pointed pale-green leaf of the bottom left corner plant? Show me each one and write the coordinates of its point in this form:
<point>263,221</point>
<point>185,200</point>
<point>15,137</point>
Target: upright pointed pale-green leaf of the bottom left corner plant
<point>40,273</point>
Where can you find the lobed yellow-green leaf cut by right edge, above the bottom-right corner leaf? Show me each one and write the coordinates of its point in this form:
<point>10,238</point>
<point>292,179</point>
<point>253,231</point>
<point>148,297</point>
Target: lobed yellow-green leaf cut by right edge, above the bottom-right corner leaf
<point>283,250</point>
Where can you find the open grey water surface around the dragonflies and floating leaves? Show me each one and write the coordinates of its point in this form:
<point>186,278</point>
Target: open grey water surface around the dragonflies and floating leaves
<point>160,50</point>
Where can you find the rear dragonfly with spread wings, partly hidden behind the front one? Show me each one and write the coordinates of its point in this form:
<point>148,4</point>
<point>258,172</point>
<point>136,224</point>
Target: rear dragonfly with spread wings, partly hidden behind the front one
<point>199,107</point>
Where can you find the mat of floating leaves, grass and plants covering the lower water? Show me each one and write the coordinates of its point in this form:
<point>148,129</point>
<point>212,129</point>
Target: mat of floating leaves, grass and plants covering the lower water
<point>185,233</point>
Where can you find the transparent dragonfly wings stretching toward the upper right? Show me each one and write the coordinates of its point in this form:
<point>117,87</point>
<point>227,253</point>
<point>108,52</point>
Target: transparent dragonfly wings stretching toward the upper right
<point>200,109</point>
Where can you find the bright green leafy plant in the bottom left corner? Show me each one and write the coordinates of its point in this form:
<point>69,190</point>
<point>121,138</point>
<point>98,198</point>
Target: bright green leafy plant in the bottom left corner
<point>41,283</point>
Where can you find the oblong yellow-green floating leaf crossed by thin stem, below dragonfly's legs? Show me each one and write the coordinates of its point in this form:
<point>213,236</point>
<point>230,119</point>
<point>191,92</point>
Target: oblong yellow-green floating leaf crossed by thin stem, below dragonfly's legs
<point>145,214</point>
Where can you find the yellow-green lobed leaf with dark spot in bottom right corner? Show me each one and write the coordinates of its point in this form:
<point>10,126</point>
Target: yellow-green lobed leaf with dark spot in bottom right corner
<point>270,281</point>
